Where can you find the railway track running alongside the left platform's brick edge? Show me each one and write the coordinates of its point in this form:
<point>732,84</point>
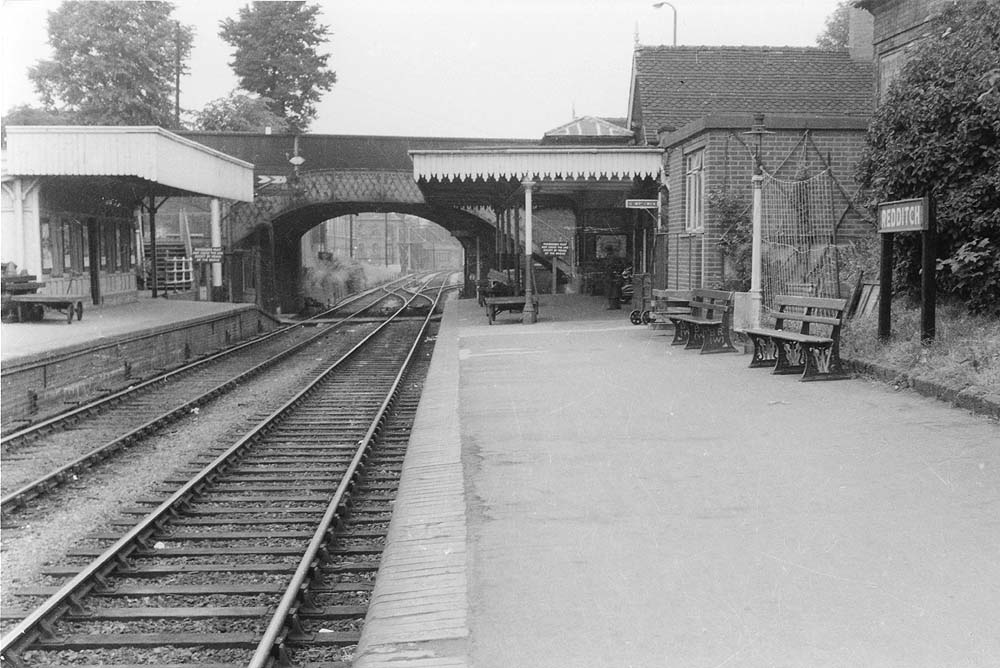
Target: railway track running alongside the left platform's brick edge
<point>64,447</point>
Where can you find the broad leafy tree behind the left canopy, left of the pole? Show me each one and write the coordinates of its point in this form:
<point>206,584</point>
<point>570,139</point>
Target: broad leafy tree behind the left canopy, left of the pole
<point>115,63</point>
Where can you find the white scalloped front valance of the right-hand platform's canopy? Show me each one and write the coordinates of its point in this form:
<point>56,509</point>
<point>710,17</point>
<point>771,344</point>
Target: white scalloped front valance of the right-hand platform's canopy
<point>518,163</point>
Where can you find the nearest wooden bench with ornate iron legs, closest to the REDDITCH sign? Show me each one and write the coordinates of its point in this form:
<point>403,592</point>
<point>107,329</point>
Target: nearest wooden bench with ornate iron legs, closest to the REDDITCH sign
<point>815,356</point>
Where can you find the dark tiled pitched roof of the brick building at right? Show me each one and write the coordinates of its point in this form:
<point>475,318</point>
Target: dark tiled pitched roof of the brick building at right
<point>676,85</point>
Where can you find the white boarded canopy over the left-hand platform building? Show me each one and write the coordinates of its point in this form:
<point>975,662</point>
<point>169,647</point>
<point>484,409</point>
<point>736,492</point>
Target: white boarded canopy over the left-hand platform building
<point>158,161</point>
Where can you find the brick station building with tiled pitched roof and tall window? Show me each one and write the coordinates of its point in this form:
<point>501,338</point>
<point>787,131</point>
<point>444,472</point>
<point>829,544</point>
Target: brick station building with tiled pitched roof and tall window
<point>718,112</point>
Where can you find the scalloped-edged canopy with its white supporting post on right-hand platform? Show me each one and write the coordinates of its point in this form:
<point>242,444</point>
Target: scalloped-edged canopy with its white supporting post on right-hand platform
<point>588,180</point>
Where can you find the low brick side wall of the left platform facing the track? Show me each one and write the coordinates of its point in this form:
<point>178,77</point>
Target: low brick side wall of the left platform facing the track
<point>46,384</point>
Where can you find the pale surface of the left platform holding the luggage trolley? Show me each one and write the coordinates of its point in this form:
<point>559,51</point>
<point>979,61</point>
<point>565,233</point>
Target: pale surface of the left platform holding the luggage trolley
<point>26,339</point>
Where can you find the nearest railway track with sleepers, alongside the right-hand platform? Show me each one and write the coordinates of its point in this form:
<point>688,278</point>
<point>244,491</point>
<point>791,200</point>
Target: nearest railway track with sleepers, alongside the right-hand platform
<point>266,553</point>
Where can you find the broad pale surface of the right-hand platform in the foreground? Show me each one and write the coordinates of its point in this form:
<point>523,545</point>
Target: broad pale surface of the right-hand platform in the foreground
<point>579,493</point>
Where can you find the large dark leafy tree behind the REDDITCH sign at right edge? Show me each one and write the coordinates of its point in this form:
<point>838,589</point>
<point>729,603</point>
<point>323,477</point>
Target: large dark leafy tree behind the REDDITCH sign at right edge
<point>938,133</point>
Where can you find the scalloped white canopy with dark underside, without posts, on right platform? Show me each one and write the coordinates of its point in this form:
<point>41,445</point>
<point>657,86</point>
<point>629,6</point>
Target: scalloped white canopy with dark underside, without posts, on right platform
<point>476,176</point>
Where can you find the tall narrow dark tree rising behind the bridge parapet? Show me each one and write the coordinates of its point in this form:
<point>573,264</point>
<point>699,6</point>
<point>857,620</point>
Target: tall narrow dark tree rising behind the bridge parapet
<point>276,57</point>
